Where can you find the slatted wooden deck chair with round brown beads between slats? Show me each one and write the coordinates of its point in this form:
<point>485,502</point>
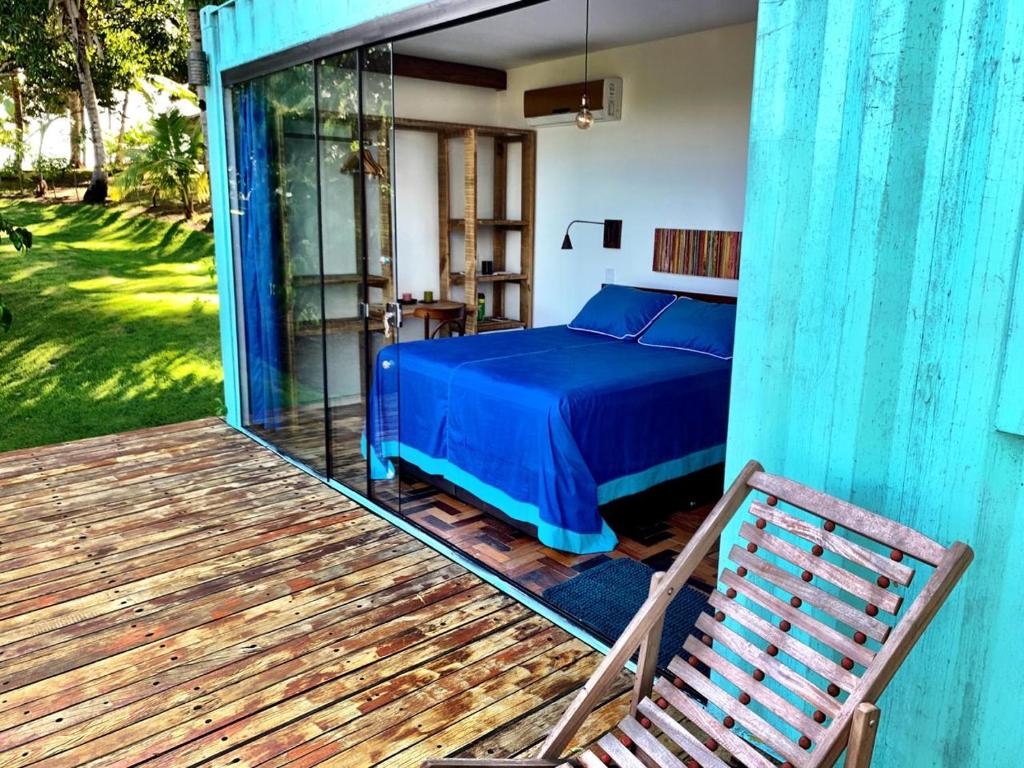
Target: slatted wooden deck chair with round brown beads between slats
<point>804,639</point>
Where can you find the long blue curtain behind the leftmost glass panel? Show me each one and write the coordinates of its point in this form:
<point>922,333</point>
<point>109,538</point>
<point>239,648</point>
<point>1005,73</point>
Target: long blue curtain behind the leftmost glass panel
<point>262,270</point>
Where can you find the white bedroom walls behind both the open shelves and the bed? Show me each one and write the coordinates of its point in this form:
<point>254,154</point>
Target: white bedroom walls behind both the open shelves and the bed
<point>677,159</point>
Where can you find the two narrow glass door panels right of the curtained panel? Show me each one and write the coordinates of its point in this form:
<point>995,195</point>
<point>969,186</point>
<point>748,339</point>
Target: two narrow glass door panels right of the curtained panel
<point>357,214</point>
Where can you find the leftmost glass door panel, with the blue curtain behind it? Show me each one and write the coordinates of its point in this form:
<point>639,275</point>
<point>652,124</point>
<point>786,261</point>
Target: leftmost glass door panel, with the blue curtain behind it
<point>276,224</point>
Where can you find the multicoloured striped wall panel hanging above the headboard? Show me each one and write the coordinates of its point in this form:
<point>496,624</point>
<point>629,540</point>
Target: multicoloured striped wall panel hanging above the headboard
<point>708,253</point>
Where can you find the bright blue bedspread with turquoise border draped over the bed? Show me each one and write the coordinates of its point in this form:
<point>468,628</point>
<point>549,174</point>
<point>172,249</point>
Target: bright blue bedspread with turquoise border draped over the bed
<point>548,424</point>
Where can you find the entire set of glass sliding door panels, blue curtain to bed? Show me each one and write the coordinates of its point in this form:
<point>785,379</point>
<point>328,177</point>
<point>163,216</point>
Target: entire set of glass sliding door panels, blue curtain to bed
<point>313,216</point>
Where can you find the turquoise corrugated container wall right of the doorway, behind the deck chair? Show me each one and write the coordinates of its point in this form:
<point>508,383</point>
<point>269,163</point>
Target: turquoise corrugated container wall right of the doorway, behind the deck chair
<point>884,223</point>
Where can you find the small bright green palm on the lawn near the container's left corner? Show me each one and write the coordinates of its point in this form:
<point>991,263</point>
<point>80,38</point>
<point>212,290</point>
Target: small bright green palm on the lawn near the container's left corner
<point>170,163</point>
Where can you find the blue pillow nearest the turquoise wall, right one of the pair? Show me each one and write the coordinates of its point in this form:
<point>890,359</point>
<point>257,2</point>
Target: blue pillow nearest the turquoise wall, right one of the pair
<point>695,327</point>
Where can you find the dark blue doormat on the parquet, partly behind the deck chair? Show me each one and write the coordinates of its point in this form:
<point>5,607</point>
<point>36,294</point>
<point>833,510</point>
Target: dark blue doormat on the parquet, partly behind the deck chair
<point>608,596</point>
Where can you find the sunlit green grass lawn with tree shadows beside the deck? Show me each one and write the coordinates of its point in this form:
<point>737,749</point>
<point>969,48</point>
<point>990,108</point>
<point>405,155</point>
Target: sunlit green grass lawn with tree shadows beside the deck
<point>115,325</point>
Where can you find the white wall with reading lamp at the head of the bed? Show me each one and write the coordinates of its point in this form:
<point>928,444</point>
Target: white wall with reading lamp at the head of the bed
<point>677,159</point>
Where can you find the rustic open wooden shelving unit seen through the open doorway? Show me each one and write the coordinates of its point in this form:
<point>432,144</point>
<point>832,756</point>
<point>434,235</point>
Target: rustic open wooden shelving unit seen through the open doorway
<point>471,225</point>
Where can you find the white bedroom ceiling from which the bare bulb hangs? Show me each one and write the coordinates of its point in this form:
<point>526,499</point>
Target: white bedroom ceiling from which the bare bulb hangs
<point>556,29</point>
